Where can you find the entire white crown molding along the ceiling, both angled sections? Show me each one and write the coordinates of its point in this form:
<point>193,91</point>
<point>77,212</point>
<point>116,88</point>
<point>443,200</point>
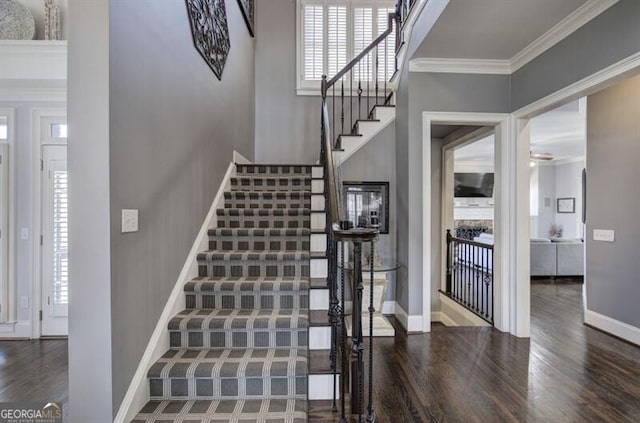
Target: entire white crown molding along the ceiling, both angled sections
<point>560,31</point>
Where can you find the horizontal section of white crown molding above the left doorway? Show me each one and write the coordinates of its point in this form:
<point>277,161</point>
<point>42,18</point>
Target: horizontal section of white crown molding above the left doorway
<point>477,66</point>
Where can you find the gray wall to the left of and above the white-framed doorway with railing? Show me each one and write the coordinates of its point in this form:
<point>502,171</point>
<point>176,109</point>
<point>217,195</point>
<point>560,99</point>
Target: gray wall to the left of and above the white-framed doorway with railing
<point>430,92</point>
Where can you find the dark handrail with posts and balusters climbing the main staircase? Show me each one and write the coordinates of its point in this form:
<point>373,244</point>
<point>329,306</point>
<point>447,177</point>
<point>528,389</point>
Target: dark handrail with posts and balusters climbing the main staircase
<point>352,370</point>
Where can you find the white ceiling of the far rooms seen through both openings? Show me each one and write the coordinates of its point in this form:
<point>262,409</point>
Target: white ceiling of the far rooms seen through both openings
<point>560,132</point>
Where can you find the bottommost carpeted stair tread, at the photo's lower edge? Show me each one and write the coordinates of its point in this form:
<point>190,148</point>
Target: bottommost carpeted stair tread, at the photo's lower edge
<point>224,411</point>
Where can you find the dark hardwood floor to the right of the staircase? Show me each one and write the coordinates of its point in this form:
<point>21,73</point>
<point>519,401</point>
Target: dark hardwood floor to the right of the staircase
<point>566,372</point>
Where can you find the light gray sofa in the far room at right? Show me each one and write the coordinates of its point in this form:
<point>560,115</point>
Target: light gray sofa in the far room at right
<point>557,257</point>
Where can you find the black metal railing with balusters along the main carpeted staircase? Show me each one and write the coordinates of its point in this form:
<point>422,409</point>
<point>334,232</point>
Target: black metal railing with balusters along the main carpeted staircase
<point>361,84</point>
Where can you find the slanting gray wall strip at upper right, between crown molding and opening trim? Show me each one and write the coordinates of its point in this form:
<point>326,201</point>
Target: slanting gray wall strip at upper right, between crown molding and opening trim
<point>607,39</point>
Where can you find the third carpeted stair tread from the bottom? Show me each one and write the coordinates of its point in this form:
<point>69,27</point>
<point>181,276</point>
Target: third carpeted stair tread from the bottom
<point>236,319</point>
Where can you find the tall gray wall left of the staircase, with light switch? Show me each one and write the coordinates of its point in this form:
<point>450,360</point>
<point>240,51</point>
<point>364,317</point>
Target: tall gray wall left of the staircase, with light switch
<point>153,129</point>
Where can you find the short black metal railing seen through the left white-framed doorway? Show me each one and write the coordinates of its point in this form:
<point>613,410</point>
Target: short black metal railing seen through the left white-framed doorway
<point>469,279</point>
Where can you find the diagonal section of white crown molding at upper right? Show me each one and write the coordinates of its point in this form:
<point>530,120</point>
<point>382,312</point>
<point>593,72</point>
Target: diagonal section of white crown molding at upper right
<point>580,17</point>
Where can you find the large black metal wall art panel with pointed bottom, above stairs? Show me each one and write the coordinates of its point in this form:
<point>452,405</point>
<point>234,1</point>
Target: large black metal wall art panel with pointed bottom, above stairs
<point>210,32</point>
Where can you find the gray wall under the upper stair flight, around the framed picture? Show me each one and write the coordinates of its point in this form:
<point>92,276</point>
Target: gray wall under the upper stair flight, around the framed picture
<point>376,162</point>
